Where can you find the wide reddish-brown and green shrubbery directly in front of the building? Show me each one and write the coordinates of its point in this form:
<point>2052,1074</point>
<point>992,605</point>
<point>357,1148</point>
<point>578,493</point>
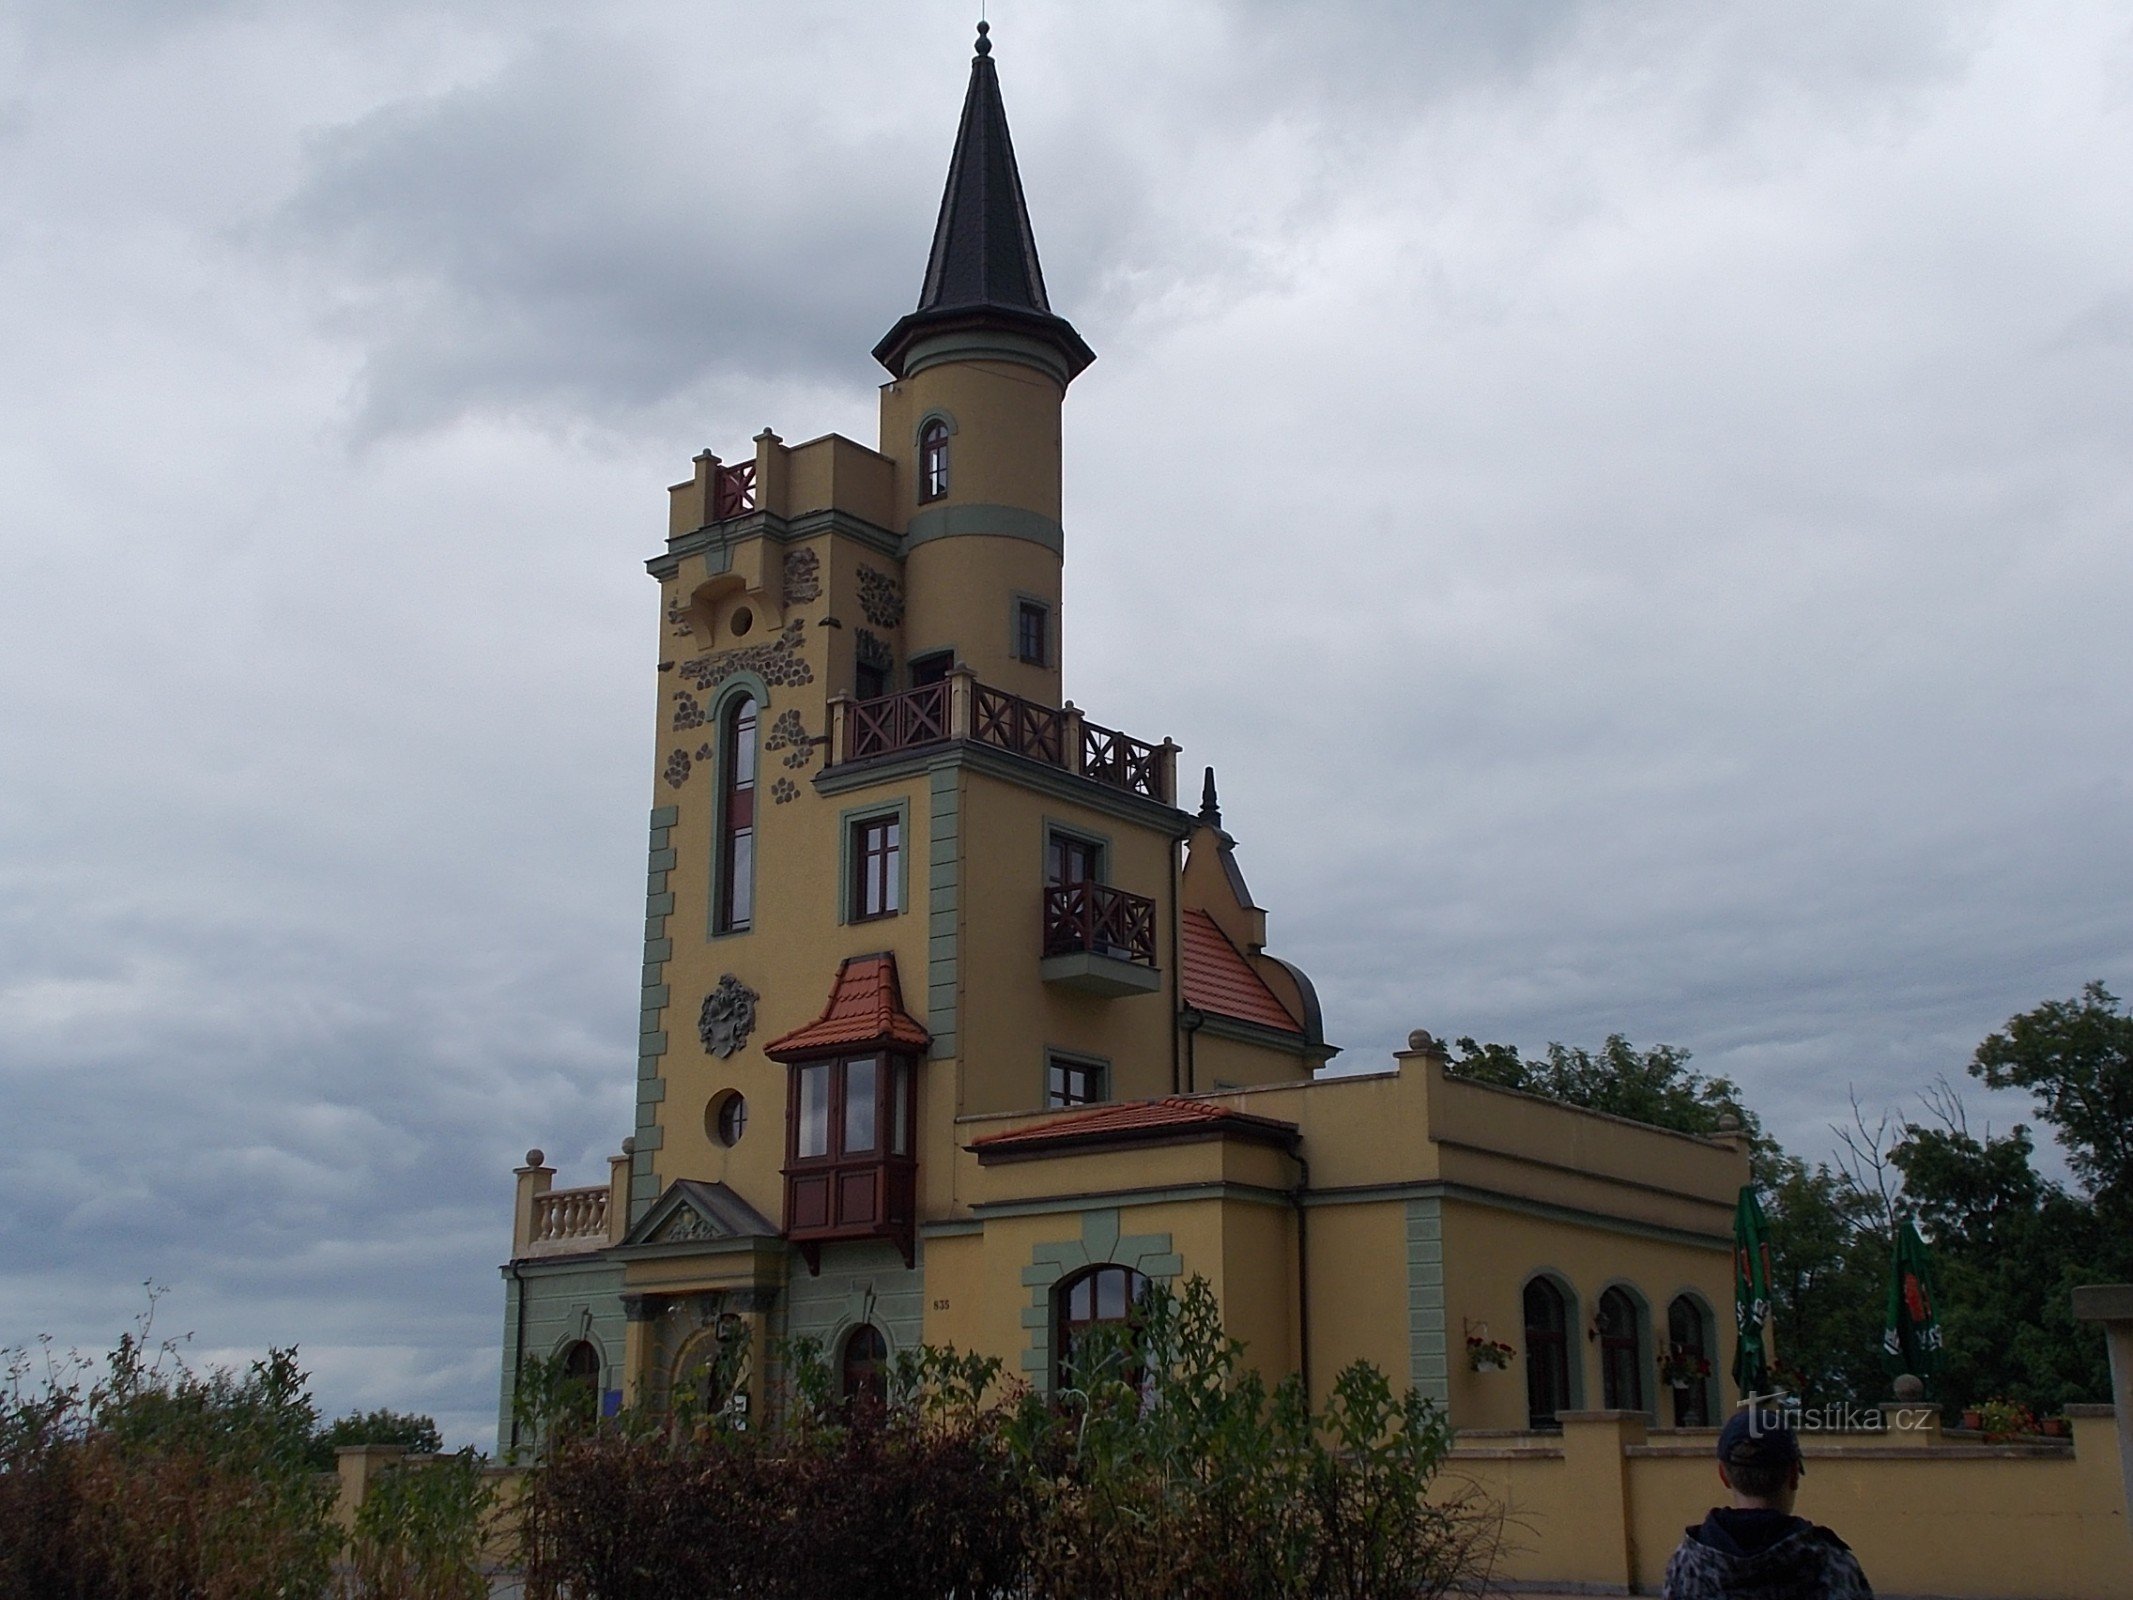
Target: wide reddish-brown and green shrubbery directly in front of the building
<point>1172,1471</point>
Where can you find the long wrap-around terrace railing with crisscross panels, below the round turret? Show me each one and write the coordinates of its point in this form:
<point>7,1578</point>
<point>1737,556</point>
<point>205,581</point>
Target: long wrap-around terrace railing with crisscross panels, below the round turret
<point>965,709</point>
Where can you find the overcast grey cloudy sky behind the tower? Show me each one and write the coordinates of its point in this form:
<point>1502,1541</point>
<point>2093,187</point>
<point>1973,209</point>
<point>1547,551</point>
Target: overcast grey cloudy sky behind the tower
<point>1631,496</point>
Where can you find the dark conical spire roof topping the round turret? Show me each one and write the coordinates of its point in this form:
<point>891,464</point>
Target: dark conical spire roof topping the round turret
<point>984,268</point>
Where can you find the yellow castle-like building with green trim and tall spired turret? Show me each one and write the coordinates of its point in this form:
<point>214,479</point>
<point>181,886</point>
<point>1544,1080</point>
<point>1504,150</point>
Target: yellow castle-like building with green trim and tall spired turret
<point>959,1029</point>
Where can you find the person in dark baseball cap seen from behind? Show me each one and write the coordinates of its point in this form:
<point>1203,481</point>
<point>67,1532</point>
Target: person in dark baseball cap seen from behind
<point>1757,1550</point>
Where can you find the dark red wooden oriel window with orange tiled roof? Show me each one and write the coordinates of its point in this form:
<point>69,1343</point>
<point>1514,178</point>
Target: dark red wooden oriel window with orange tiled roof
<point>852,1108</point>
